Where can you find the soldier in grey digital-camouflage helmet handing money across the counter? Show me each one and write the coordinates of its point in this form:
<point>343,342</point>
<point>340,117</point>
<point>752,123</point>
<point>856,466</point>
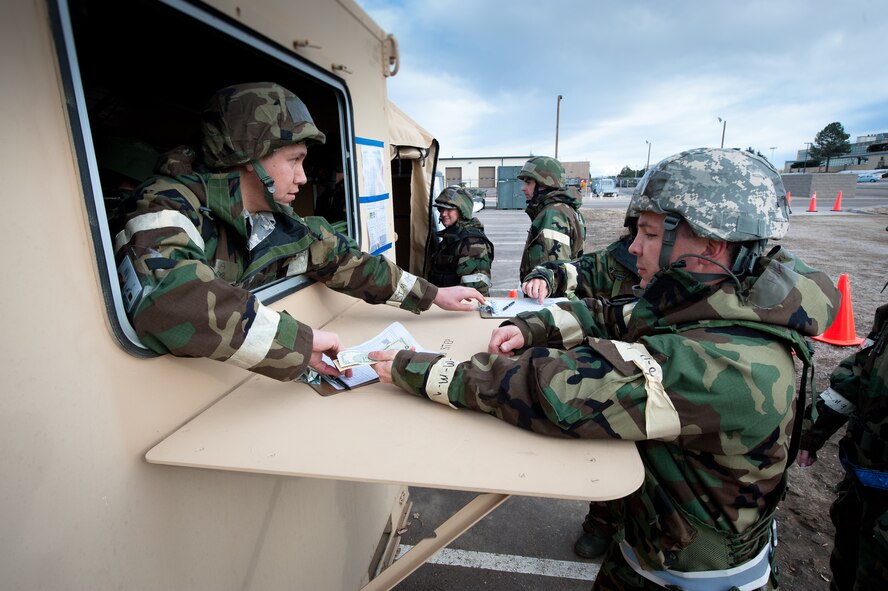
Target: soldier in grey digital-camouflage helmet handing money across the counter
<point>698,370</point>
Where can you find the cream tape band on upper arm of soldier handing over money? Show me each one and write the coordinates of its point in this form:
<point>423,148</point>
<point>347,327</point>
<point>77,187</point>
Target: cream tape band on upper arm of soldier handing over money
<point>660,417</point>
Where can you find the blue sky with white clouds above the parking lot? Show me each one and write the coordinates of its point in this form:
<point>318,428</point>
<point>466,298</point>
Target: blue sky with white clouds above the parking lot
<point>484,76</point>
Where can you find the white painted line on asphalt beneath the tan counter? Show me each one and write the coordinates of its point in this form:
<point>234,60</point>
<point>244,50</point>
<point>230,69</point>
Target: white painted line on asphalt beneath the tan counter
<point>562,569</point>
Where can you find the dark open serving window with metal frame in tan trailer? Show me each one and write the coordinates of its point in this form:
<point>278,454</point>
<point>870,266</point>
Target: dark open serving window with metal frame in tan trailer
<point>137,75</point>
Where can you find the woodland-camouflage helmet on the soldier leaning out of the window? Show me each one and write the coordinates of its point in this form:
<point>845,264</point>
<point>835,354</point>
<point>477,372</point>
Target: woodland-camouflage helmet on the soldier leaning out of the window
<point>246,122</point>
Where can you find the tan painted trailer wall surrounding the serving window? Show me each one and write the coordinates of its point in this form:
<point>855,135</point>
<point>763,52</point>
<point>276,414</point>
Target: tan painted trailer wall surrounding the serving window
<point>80,507</point>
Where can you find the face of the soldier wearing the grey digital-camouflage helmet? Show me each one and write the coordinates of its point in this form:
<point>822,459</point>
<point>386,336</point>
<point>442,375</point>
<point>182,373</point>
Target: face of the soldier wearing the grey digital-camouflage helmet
<point>649,241</point>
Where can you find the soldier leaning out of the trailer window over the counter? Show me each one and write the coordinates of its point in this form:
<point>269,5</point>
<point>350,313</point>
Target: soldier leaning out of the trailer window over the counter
<point>196,244</point>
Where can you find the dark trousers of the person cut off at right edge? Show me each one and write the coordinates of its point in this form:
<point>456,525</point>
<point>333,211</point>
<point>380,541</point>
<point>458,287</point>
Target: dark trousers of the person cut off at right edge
<point>859,558</point>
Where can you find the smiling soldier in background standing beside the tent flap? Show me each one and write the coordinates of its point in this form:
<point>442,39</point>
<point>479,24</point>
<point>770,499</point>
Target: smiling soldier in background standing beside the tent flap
<point>464,254</point>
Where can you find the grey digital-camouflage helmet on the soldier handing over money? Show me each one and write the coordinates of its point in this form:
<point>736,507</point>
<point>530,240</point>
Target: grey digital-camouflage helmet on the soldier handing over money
<point>726,194</point>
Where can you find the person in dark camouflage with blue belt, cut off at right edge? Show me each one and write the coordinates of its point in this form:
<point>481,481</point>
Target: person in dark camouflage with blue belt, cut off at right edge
<point>858,396</point>
